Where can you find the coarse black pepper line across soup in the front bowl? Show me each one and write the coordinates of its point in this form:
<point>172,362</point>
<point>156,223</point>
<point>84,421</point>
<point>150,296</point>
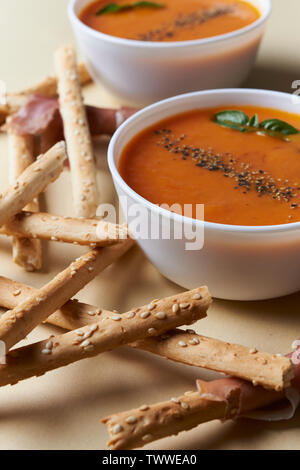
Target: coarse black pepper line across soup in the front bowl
<point>243,174</point>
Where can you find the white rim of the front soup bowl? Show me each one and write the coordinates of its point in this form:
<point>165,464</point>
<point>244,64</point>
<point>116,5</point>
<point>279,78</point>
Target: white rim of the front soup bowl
<point>259,229</point>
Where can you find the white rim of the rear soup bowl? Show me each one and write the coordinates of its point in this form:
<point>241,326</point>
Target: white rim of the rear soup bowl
<point>171,44</point>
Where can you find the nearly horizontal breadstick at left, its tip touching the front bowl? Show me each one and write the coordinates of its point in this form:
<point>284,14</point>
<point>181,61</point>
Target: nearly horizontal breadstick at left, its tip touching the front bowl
<point>64,229</point>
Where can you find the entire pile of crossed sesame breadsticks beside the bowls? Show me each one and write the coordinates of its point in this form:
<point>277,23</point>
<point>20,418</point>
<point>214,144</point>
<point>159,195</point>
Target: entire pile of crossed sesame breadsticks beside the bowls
<point>260,379</point>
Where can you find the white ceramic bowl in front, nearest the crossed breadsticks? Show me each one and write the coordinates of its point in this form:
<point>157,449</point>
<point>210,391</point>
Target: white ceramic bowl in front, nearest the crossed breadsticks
<point>236,262</point>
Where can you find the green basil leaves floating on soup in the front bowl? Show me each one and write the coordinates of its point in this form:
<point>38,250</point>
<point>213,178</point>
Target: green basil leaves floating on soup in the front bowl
<point>238,120</point>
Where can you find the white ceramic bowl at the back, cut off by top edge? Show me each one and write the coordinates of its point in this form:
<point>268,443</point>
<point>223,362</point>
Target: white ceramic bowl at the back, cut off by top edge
<point>145,72</point>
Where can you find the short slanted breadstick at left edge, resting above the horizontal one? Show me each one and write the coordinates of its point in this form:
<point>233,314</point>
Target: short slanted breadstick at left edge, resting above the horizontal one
<point>32,182</point>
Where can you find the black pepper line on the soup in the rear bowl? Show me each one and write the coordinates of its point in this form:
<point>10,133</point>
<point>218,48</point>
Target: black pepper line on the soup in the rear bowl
<point>190,20</point>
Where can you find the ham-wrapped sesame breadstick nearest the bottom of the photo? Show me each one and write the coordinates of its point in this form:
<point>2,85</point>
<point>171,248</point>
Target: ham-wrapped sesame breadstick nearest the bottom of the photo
<point>222,399</point>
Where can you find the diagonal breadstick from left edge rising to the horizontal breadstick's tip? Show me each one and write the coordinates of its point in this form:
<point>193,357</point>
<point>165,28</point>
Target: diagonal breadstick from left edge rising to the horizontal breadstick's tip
<point>17,323</point>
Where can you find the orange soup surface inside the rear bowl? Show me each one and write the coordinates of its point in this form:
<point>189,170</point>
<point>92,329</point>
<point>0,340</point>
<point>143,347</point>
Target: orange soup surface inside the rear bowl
<point>177,20</point>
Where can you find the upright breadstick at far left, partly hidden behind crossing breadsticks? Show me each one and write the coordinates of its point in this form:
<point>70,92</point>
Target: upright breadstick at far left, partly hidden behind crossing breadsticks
<point>27,253</point>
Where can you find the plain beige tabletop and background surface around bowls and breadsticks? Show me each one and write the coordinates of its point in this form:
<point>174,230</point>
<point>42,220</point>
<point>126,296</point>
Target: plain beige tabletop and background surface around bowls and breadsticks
<point>62,409</point>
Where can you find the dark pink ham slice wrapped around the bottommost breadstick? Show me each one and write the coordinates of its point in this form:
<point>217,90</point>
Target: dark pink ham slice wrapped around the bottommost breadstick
<point>255,402</point>
